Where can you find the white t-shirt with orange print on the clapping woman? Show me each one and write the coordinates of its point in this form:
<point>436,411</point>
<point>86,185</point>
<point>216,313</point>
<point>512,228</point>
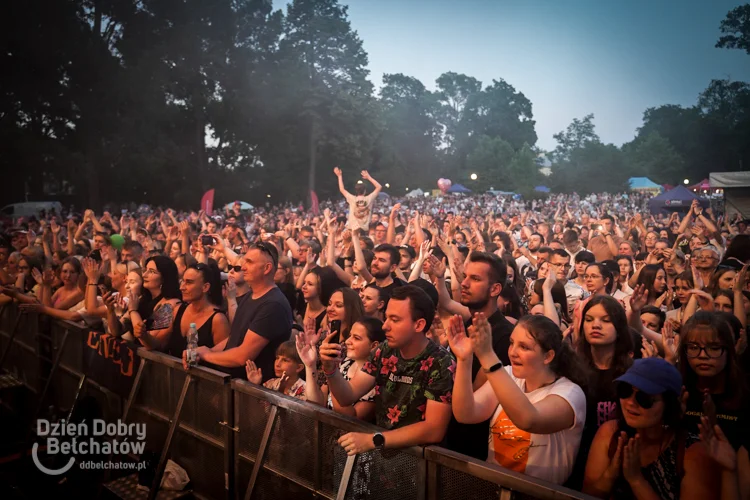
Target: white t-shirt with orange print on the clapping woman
<point>544,456</point>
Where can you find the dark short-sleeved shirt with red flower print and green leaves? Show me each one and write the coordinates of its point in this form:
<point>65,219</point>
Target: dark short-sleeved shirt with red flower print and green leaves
<point>403,386</point>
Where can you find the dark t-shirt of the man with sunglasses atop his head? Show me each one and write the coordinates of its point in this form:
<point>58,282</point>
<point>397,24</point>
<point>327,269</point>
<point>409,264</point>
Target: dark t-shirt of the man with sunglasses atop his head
<point>269,316</point>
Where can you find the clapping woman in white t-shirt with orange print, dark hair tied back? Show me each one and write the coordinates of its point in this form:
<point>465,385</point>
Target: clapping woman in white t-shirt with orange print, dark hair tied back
<point>535,400</point>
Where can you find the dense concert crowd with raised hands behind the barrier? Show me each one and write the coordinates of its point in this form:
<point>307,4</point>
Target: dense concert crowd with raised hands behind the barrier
<point>579,340</point>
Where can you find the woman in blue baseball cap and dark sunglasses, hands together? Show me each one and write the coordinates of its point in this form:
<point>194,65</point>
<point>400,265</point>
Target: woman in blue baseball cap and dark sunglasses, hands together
<point>643,454</point>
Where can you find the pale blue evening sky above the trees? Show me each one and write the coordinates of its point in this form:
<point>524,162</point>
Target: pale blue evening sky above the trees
<point>570,58</point>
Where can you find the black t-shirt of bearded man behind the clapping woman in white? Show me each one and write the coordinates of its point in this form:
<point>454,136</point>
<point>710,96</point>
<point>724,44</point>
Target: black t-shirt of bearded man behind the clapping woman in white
<point>472,439</point>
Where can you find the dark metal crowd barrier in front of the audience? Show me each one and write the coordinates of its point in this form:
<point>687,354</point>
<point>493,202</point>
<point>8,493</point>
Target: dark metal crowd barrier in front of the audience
<point>237,440</point>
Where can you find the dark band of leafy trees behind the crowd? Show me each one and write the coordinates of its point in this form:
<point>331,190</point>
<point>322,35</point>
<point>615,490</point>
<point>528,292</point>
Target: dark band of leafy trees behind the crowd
<point>157,101</point>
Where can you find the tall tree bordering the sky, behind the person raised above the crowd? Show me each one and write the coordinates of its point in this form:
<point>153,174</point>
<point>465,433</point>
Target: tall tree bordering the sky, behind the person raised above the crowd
<point>324,56</point>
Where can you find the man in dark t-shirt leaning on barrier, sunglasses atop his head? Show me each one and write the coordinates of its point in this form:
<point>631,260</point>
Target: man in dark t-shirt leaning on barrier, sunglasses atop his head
<point>262,321</point>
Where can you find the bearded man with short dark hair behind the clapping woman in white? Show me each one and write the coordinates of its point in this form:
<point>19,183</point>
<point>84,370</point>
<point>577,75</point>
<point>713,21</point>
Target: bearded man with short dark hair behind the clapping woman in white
<point>486,274</point>
